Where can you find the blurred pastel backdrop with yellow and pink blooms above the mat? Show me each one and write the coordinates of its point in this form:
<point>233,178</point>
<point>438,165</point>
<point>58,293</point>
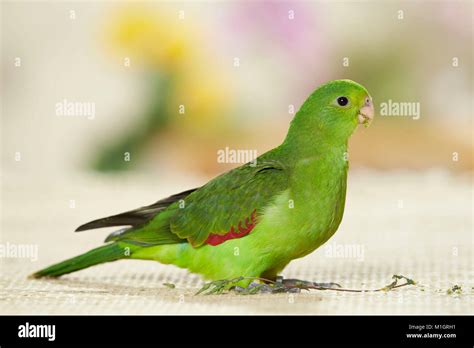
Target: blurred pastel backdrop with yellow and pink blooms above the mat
<point>238,69</point>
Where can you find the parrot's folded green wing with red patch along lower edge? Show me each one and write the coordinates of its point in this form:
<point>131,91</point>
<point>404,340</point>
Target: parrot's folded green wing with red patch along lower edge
<point>227,207</point>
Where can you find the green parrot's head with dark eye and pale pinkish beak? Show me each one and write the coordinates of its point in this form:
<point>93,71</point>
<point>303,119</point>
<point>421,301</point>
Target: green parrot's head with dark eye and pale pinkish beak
<point>333,111</point>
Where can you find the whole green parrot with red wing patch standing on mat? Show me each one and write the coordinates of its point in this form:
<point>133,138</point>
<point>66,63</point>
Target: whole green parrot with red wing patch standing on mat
<point>250,222</point>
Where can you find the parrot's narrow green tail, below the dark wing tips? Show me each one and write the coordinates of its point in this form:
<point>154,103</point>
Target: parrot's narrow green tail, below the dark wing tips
<point>106,253</point>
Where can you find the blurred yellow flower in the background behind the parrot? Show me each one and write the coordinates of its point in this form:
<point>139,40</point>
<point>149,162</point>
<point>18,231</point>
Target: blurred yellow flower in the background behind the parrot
<point>158,40</point>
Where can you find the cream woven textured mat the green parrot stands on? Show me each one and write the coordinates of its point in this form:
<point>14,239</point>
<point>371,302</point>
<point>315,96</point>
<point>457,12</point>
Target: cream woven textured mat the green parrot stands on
<point>415,224</point>
